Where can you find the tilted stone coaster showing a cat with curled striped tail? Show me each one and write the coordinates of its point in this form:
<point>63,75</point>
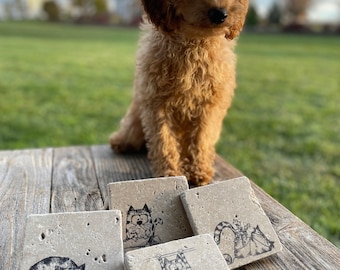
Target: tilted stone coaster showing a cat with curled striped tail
<point>231,213</point>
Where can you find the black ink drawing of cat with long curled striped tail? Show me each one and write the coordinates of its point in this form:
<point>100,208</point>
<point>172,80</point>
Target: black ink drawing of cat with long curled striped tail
<point>247,241</point>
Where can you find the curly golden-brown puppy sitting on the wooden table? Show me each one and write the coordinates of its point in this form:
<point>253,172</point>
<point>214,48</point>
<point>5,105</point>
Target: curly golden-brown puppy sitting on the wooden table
<point>184,84</point>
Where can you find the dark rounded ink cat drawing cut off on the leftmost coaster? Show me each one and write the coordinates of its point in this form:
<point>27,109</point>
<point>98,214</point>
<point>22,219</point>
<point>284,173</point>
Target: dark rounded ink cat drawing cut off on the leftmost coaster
<point>57,263</point>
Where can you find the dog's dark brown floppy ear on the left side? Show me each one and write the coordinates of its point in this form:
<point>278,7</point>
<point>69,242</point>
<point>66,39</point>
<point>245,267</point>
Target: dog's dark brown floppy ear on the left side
<point>162,14</point>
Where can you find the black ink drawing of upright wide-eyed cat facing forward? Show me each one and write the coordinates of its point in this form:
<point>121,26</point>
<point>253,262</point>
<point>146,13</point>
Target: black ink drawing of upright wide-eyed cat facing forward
<point>140,227</point>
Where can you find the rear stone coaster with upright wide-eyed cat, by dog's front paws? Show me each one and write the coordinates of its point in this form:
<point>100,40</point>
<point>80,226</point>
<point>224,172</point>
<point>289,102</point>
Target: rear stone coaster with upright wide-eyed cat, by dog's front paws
<point>152,212</point>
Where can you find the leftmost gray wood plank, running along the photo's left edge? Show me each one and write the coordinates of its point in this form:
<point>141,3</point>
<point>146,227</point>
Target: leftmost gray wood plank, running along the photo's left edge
<point>25,185</point>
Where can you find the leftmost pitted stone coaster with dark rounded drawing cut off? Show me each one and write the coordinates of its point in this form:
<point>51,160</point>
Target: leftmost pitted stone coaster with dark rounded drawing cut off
<point>79,241</point>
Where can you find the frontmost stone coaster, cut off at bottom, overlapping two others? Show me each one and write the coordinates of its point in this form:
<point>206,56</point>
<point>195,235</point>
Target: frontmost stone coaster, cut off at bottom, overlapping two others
<point>194,253</point>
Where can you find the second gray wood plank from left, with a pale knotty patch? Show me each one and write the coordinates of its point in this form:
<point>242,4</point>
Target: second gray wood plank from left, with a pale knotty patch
<point>74,182</point>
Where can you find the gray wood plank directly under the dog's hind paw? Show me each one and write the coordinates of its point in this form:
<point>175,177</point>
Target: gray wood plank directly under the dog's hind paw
<point>111,167</point>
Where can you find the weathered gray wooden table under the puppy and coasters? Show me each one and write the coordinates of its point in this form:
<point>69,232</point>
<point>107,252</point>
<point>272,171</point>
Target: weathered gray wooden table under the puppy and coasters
<point>75,178</point>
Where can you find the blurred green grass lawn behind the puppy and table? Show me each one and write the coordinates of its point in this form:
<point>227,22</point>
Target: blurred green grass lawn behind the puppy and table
<point>66,85</point>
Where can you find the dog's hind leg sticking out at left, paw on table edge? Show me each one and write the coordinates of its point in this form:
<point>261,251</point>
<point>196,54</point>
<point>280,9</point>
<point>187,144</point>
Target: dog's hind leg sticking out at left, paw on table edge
<point>130,136</point>
